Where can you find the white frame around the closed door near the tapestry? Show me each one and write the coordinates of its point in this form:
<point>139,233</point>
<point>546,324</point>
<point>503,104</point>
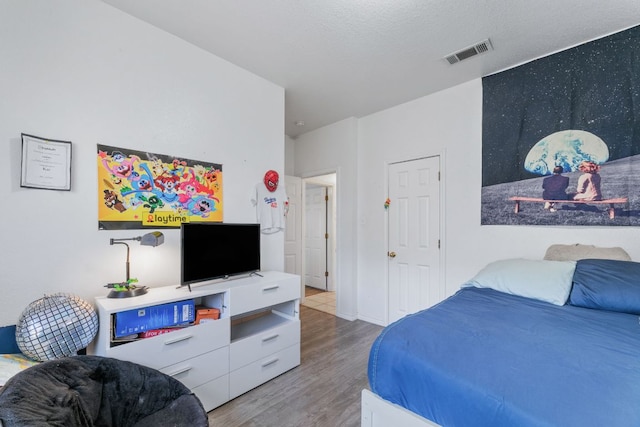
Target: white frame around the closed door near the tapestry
<point>442,276</point>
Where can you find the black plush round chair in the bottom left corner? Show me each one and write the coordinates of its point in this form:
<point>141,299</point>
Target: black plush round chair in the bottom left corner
<point>93,391</point>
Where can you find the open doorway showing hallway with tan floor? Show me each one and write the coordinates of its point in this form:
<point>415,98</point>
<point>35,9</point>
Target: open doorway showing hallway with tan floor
<point>319,242</point>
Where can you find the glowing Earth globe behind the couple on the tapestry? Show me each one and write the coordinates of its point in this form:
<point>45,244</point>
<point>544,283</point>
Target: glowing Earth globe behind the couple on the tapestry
<point>566,148</point>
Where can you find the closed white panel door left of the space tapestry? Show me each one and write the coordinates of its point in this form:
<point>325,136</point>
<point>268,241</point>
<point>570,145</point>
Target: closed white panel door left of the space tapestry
<point>414,236</point>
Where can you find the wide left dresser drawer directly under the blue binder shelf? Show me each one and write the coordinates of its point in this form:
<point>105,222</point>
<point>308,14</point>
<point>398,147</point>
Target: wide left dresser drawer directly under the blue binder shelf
<point>164,350</point>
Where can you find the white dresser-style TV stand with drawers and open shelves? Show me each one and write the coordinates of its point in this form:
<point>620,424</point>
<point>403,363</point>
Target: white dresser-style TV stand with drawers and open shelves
<point>256,338</point>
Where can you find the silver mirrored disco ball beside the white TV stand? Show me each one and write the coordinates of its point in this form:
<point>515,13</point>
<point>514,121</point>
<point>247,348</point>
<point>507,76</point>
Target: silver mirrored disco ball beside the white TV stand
<point>55,326</point>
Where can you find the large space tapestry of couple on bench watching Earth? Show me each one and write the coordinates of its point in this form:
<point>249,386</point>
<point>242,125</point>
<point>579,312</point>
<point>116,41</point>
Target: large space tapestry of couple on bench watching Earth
<point>561,138</point>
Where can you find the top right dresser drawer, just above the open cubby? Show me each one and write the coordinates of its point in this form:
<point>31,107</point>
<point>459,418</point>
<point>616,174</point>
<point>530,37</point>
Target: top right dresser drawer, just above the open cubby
<point>252,297</point>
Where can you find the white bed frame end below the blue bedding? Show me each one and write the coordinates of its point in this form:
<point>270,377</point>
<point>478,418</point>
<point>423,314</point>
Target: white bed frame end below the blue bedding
<point>377,412</point>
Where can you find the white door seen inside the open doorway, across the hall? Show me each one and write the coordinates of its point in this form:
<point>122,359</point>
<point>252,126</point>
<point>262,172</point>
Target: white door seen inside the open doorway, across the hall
<point>315,236</point>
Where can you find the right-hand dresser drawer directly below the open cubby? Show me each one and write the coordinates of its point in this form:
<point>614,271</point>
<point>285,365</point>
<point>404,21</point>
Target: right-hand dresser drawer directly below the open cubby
<point>247,350</point>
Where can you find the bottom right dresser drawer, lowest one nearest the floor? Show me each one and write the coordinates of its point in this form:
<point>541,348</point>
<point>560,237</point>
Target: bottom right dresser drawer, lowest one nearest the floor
<point>251,376</point>
